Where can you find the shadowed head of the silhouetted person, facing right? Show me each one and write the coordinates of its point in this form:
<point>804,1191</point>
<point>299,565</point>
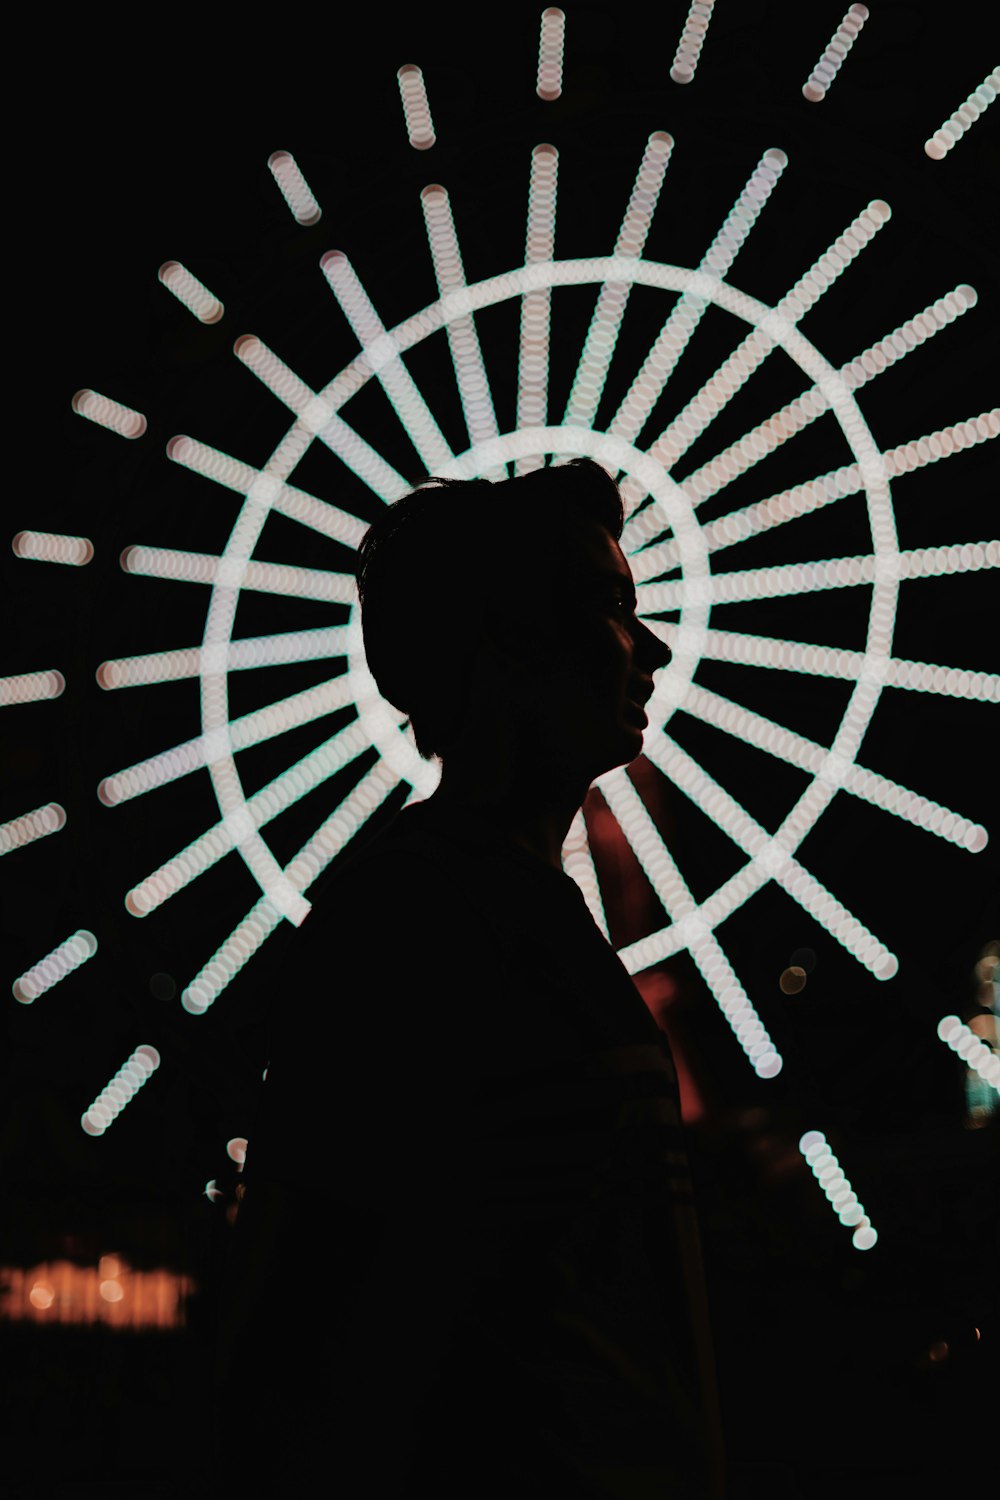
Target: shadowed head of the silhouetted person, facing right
<point>521,586</point>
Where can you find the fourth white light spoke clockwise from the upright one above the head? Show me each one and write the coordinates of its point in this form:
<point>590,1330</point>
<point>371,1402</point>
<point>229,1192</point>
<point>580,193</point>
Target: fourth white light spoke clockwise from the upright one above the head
<point>804,410</point>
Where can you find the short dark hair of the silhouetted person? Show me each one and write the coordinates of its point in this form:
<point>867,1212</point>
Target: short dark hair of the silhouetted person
<point>430,568</point>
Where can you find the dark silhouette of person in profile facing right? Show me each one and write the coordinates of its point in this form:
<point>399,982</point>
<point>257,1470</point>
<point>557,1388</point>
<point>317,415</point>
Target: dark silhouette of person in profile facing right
<point>467,1261</point>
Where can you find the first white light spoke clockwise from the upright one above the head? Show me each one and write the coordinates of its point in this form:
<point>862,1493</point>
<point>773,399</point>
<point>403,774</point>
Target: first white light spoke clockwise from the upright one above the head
<point>612,299</point>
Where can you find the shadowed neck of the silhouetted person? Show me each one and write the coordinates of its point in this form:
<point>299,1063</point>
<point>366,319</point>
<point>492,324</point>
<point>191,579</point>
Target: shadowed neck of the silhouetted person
<point>531,811</point>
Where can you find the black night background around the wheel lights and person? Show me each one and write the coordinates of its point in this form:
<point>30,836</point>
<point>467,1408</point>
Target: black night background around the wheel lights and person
<point>155,149</point>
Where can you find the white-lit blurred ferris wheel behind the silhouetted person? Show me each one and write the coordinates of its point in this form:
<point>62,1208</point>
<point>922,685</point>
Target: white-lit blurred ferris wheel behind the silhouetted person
<point>672,548</point>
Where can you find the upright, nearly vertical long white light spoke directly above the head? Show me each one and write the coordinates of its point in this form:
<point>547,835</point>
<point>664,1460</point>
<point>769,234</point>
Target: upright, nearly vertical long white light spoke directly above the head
<point>533,358</point>
